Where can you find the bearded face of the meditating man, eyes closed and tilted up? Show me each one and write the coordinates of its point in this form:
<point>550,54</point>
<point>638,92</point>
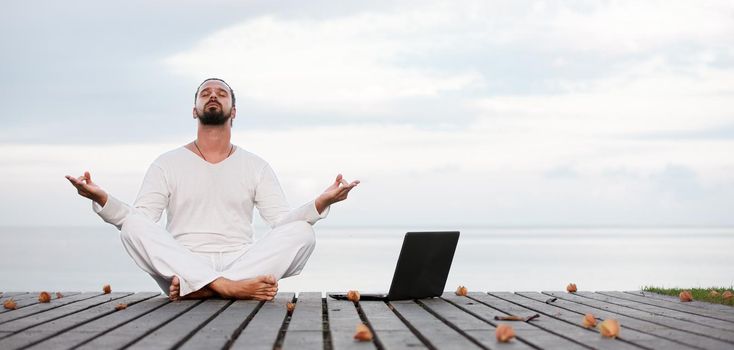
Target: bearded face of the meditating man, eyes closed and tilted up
<point>213,103</point>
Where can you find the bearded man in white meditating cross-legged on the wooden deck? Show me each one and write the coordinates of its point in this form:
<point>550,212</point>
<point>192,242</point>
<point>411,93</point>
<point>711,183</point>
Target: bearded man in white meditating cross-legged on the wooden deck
<point>209,189</point>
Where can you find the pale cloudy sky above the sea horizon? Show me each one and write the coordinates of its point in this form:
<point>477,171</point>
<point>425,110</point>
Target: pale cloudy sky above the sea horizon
<point>451,113</point>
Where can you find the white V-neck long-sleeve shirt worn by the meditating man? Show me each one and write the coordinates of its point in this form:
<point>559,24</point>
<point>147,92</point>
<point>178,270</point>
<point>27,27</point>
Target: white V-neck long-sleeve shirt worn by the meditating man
<point>210,206</point>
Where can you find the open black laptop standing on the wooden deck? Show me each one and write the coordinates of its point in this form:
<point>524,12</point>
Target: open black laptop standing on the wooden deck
<point>422,269</point>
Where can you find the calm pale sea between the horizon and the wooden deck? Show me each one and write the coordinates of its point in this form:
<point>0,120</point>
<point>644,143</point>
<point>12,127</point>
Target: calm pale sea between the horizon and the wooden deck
<point>363,258</point>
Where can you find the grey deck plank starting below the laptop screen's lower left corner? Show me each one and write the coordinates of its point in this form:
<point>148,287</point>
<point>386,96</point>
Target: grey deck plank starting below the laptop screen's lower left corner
<point>431,329</point>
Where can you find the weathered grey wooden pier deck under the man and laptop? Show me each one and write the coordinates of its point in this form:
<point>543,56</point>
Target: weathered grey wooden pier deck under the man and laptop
<point>150,321</point>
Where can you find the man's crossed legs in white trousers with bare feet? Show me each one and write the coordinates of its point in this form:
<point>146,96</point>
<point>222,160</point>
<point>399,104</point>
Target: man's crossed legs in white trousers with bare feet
<point>254,275</point>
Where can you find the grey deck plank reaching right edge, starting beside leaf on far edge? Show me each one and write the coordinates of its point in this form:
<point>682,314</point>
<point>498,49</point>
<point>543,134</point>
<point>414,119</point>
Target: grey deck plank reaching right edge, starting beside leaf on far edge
<point>657,310</point>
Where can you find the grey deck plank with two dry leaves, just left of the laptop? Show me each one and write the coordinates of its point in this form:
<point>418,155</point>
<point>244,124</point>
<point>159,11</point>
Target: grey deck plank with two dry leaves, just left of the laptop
<point>343,321</point>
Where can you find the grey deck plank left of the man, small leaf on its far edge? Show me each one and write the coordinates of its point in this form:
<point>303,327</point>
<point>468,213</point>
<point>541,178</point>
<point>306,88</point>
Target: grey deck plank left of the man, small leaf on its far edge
<point>90,330</point>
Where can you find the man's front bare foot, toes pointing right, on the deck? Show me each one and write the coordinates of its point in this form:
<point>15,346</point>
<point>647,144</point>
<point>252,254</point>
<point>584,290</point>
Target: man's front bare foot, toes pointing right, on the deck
<point>263,287</point>
